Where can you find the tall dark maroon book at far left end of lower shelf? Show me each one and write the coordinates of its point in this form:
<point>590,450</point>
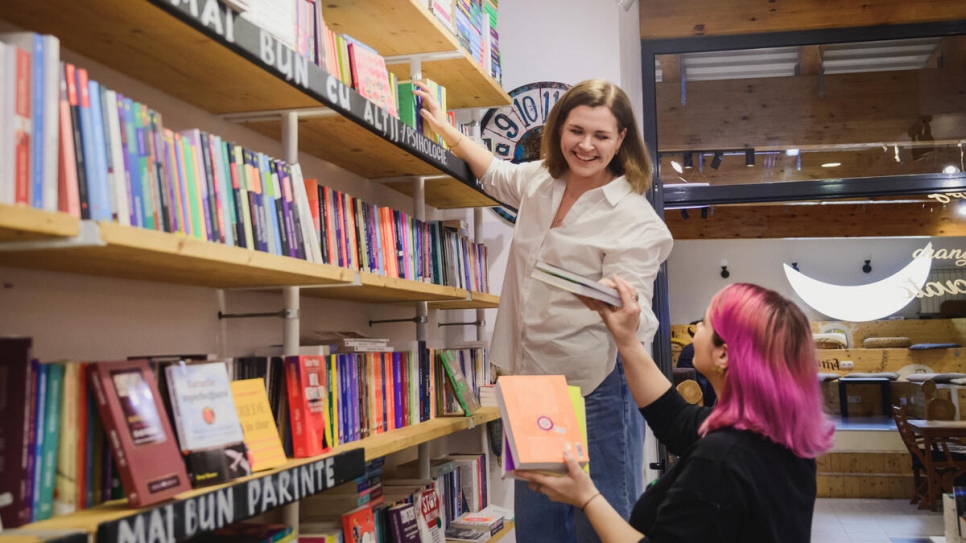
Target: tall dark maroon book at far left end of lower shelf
<point>15,430</point>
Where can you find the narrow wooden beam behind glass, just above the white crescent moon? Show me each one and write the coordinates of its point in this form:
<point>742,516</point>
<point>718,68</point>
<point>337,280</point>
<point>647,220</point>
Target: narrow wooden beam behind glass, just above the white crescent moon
<point>818,221</point>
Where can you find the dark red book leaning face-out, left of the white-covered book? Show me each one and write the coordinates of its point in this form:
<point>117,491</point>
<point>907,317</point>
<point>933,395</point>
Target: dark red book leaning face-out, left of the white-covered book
<point>145,449</point>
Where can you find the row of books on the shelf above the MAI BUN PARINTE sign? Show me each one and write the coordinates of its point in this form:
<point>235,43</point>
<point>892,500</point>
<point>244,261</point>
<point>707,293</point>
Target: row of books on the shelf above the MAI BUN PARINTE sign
<point>77,434</point>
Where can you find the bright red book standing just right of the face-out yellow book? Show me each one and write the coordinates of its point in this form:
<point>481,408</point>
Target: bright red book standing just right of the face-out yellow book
<point>308,404</point>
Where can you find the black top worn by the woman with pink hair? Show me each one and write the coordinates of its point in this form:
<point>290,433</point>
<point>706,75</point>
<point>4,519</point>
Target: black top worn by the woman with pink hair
<point>731,485</point>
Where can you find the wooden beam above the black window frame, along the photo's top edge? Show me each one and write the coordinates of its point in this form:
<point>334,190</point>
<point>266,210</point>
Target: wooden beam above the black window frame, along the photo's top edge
<point>676,19</point>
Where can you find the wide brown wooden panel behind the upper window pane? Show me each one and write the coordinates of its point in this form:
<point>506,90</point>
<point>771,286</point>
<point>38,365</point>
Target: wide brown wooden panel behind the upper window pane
<point>861,108</point>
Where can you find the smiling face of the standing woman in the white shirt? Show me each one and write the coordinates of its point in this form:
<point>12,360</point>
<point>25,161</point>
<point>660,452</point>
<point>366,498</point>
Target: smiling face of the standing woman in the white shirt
<point>589,140</point>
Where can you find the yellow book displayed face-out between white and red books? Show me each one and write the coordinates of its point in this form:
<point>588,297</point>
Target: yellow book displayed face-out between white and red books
<point>258,424</point>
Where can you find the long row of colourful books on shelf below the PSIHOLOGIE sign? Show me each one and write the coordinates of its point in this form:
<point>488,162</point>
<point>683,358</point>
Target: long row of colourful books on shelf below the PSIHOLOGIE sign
<point>117,162</point>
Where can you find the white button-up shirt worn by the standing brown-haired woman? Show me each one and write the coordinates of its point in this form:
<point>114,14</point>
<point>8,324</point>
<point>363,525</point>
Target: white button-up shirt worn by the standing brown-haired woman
<point>610,230</point>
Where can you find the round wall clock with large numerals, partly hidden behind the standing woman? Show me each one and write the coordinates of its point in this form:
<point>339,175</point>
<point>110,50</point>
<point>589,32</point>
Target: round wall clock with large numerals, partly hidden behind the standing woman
<point>514,132</point>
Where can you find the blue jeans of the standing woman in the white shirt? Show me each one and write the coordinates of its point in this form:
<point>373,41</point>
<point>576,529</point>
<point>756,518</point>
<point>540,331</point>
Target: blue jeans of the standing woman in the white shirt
<point>615,435</point>
